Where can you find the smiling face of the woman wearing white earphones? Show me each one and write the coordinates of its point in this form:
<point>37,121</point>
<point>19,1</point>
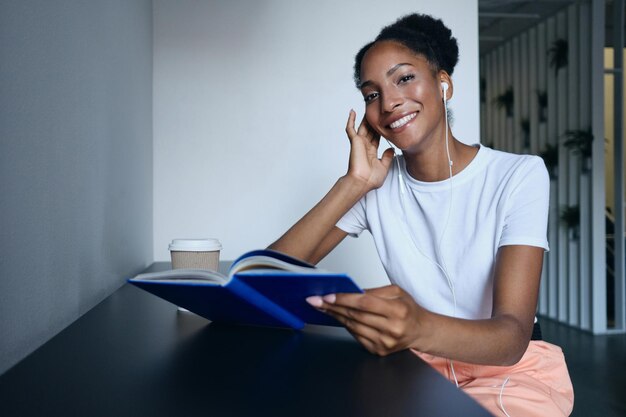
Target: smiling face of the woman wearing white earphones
<point>403,98</point>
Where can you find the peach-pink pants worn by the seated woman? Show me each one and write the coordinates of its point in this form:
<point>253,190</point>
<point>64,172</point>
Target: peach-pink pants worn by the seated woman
<point>538,385</point>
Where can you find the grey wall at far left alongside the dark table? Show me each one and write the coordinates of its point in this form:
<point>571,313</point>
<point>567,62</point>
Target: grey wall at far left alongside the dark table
<point>75,161</point>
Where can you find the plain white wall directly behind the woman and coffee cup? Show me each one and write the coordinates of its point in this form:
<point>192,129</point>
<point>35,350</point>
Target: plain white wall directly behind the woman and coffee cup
<point>250,102</point>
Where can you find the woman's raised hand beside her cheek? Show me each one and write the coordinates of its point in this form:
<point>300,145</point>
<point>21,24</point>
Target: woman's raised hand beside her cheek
<point>364,164</point>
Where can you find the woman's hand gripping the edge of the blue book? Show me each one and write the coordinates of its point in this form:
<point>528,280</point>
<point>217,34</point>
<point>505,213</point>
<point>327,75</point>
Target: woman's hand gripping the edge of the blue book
<point>384,320</point>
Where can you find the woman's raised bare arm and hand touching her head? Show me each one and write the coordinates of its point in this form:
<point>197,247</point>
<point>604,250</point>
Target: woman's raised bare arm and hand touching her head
<point>315,235</point>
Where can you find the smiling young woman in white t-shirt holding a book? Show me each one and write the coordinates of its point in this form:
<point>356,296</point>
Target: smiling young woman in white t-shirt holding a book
<point>460,230</point>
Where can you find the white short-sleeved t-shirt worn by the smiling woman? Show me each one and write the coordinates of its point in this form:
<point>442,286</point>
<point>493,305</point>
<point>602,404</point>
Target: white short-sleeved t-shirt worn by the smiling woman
<point>498,199</point>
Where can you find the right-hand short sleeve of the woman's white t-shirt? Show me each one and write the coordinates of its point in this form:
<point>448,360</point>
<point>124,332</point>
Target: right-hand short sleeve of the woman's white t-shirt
<point>526,218</point>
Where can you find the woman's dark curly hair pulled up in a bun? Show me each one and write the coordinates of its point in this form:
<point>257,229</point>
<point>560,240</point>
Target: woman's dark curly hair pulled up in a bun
<point>422,34</point>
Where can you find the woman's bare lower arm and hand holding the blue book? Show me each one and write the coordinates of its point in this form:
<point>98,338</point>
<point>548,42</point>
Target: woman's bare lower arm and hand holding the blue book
<point>387,319</point>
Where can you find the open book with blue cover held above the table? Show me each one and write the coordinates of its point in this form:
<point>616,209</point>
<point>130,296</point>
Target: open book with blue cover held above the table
<point>263,287</point>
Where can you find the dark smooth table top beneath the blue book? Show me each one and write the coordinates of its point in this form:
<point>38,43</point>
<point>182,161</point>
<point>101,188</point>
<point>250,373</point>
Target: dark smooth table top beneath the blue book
<point>136,355</point>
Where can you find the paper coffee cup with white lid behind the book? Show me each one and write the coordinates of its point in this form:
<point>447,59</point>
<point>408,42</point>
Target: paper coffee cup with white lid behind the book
<point>195,253</point>
